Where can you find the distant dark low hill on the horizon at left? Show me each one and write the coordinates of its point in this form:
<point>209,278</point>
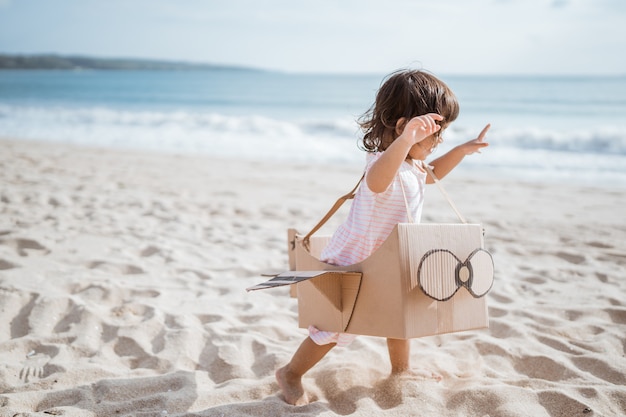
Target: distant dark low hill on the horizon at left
<point>60,62</point>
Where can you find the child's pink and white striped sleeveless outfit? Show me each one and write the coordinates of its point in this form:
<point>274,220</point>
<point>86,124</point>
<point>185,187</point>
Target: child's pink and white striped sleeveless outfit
<point>371,219</point>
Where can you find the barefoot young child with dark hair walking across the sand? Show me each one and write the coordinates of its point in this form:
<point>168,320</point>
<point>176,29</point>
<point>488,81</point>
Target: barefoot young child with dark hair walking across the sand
<point>401,129</point>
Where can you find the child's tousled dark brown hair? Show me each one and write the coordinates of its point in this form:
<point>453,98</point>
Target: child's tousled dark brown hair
<point>408,94</point>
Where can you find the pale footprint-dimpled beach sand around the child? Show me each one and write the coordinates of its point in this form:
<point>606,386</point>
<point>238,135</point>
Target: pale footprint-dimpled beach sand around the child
<point>123,276</point>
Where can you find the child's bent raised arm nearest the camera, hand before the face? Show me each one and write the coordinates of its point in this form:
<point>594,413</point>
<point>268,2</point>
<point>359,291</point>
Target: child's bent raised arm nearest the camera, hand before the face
<point>382,172</point>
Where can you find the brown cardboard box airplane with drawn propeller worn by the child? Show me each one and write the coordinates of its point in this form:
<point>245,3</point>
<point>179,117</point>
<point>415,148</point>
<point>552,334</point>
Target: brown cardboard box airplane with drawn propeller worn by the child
<point>425,279</point>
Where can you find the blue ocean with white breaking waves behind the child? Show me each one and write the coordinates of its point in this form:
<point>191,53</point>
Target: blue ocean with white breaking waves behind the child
<point>559,129</point>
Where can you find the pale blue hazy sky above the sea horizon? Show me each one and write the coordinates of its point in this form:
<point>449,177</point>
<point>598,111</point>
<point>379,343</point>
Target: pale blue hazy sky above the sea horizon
<point>534,37</point>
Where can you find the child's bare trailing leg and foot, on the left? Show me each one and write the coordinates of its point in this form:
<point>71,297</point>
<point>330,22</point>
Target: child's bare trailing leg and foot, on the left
<point>289,377</point>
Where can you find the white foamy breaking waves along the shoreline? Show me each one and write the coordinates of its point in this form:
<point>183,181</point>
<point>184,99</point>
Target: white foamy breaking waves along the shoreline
<point>555,152</point>
